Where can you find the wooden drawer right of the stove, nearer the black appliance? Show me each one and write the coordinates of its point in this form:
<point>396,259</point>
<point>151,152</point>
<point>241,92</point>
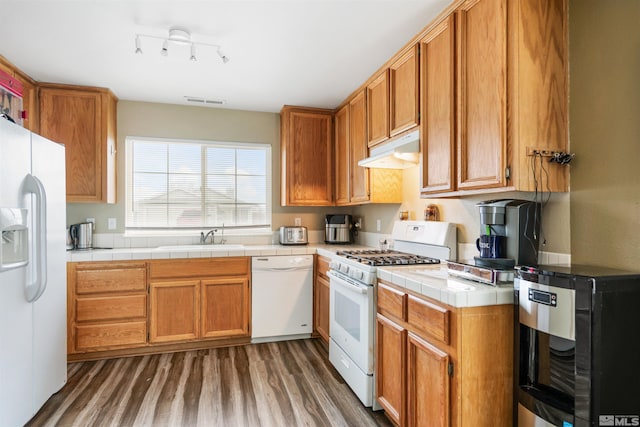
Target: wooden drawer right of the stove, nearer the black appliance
<point>428,318</point>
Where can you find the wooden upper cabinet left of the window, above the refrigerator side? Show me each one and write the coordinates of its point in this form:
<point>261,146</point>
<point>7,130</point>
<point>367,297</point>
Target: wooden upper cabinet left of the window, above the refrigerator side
<point>84,120</point>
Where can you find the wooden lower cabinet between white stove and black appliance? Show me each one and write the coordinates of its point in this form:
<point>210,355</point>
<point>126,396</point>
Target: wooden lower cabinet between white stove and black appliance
<point>438,365</point>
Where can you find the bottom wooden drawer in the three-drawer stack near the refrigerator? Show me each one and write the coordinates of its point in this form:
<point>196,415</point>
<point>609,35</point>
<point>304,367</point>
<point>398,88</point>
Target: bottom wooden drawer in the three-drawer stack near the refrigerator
<point>102,336</point>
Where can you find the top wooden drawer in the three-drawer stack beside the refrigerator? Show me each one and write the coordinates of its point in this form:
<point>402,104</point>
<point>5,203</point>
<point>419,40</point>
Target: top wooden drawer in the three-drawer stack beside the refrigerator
<point>110,279</point>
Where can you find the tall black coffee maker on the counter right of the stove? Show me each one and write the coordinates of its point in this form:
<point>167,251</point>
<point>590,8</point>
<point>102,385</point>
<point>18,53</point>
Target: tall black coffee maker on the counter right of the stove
<point>509,233</point>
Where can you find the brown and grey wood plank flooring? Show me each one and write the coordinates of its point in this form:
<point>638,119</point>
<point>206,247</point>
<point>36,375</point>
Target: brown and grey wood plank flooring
<point>288,383</point>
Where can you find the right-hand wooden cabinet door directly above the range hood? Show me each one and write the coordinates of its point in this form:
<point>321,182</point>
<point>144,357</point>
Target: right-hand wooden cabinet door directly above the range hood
<point>403,85</point>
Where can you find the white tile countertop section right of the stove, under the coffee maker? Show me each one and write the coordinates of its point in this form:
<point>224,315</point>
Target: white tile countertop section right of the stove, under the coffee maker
<point>435,282</point>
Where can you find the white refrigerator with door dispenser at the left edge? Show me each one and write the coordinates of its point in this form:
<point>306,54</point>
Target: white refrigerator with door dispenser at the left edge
<point>33,287</point>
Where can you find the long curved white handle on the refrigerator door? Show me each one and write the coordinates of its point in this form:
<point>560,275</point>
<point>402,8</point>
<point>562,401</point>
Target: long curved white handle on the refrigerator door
<point>36,288</point>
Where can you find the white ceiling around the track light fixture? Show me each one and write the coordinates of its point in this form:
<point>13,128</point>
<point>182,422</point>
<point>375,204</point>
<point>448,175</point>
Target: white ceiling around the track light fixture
<point>297,52</point>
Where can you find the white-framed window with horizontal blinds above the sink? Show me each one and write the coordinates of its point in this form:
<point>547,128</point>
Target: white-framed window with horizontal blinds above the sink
<point>173,184</point>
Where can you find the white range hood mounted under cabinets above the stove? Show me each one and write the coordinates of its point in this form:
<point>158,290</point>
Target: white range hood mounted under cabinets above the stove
<point>400,153</point>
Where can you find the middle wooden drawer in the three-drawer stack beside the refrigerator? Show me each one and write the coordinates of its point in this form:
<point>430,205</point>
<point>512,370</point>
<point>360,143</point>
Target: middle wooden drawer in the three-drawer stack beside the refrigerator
<point>111,308</point>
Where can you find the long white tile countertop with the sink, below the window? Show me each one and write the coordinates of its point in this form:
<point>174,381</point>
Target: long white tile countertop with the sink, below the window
<point>196,251</point>
